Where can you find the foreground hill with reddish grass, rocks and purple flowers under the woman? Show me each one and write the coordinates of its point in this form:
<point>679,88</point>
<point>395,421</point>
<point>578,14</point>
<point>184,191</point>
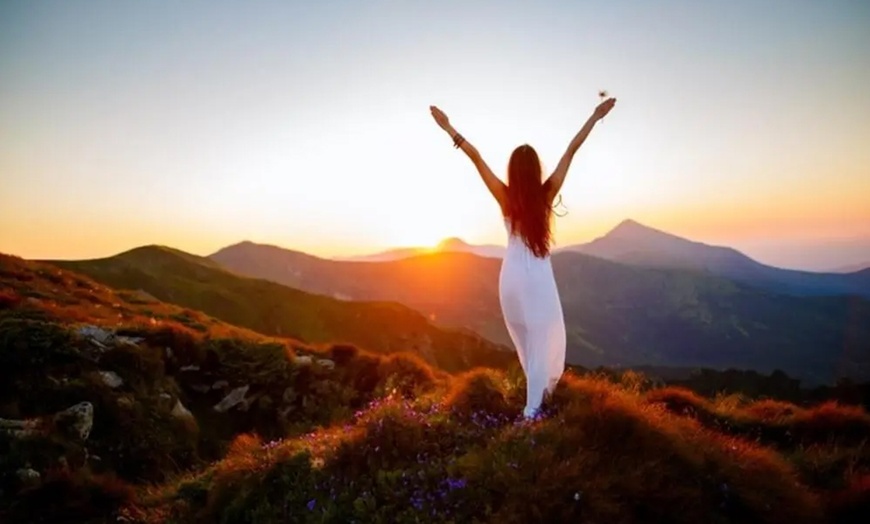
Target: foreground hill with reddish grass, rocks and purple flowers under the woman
<point>375,438</point>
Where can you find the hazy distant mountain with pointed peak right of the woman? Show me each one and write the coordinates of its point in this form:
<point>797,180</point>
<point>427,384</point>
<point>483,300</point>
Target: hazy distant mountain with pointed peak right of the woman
<point>633,243</point>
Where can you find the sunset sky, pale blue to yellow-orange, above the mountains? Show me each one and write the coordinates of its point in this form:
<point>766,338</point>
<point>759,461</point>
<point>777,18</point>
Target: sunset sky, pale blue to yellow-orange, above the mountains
<point>306,124</point>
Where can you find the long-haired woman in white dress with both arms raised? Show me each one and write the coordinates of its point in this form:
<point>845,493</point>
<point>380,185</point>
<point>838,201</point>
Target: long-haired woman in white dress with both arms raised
<point>527,289</point>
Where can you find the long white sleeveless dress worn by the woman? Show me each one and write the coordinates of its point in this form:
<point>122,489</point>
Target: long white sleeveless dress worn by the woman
<point>533,315</point>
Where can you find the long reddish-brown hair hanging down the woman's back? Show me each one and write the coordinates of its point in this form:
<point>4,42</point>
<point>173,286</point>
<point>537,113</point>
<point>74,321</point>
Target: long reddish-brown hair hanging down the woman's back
<point>528,210</point>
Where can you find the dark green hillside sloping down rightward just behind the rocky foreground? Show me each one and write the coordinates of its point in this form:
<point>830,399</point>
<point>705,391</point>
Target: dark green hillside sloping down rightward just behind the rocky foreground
<point>266,307</point>
